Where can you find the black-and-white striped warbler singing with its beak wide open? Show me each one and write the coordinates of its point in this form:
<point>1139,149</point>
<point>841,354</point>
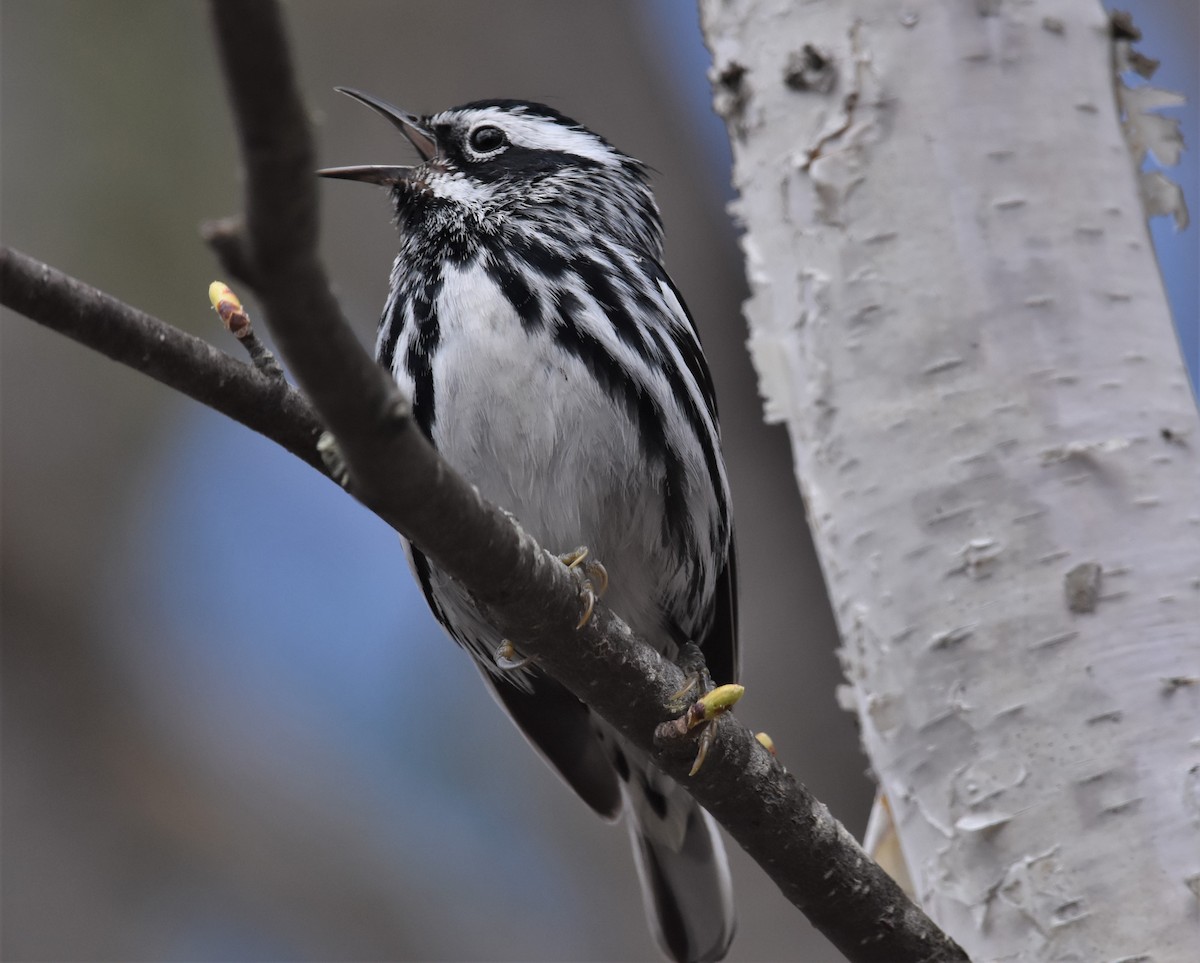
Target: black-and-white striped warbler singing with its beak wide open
<point>553,362</point>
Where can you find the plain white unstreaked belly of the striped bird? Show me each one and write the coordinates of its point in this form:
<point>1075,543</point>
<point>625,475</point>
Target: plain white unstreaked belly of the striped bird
<point>527,424</point>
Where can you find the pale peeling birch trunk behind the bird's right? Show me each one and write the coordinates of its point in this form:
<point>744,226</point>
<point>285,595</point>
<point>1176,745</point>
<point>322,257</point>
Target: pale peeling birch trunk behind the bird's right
<point>957,310</point>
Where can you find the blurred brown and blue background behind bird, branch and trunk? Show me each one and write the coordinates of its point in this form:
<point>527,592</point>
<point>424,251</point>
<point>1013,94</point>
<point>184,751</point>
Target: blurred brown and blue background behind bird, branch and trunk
<point>231,731</point>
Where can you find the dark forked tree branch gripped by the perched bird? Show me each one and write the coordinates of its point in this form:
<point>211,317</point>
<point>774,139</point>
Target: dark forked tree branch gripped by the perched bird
<point>529,595</point>
